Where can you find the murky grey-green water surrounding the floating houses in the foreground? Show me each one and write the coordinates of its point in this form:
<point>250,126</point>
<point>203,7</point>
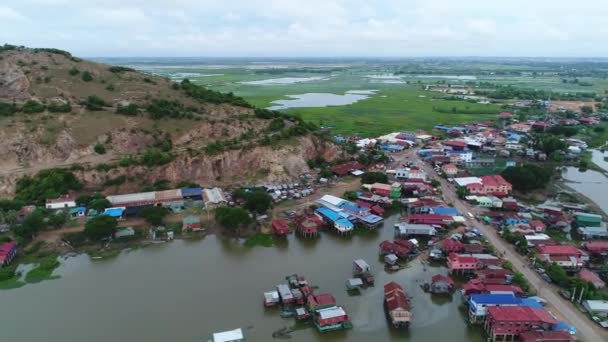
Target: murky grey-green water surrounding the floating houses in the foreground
<point>185,290</point>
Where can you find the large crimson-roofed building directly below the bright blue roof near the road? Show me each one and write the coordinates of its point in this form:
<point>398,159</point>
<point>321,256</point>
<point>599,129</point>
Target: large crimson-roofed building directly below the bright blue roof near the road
<point>503,321</point>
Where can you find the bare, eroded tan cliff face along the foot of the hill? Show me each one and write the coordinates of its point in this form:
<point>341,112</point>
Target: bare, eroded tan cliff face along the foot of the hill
<point>257,165</point>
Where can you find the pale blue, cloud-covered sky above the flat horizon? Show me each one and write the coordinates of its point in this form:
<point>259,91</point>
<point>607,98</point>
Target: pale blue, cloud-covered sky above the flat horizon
<point>309,28</point>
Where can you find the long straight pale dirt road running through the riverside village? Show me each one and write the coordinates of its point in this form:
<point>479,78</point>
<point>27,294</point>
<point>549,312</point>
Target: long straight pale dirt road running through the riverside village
<point>586,329</point>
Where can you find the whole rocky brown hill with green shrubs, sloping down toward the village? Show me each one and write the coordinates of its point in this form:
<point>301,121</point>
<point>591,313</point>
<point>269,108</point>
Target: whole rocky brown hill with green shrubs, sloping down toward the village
<point>120,130</point>
